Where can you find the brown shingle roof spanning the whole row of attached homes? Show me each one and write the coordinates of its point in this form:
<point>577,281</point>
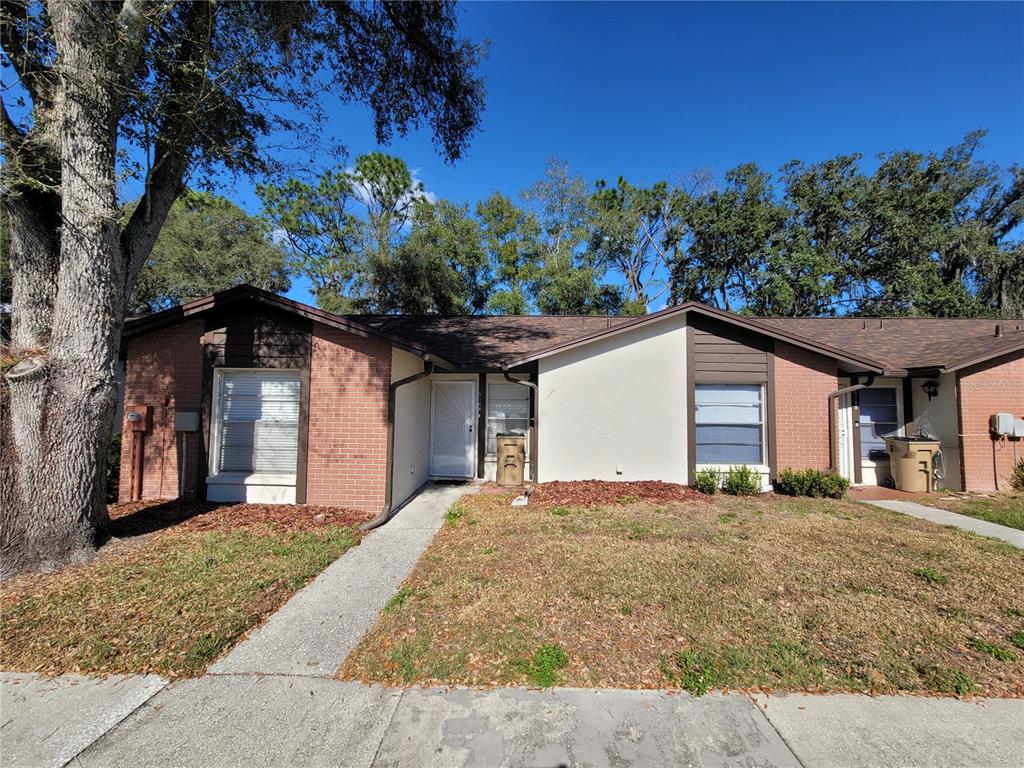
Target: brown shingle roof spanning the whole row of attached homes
<point>490,343</point>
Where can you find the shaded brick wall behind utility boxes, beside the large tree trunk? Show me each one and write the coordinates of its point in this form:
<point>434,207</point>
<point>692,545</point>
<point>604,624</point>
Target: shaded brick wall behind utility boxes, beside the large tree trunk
<point>164,370</point>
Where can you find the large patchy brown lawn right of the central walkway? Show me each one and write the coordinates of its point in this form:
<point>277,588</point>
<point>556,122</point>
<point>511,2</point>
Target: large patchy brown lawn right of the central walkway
<point>769,593</point>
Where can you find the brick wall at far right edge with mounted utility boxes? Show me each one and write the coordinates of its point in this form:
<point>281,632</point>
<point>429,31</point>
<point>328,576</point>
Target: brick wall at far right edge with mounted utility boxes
<point>983,392</point>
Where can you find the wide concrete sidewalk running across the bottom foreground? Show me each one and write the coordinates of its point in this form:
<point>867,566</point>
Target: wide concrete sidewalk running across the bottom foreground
<point>279,721</point>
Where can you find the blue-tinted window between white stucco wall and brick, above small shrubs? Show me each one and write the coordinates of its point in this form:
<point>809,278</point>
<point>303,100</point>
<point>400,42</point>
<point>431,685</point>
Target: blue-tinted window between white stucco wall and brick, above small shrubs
<point>730,424</point>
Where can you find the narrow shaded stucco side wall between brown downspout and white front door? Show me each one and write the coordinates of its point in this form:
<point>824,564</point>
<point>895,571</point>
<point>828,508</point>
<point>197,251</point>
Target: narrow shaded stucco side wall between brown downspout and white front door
<point>412,428</point>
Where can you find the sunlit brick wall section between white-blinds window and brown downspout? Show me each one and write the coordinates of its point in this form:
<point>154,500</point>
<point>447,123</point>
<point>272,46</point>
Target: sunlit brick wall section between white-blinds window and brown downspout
<point>349,394</point>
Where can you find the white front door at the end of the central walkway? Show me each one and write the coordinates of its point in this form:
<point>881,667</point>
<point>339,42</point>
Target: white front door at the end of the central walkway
<point>452,442</point>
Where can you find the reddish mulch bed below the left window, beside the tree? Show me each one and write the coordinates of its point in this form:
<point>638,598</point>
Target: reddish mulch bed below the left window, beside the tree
<point>139,519</point>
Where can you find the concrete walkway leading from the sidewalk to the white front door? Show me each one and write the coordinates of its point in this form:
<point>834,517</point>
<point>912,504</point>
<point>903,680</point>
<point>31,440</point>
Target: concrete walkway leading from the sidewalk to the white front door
<point>317,629</point>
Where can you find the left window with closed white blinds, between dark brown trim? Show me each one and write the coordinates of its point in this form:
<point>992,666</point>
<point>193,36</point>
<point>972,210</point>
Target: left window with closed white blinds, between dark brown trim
<point>259,422</point>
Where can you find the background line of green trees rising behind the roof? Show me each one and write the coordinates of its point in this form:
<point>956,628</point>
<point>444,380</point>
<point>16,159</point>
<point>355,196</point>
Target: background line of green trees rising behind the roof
<point>926,235</point>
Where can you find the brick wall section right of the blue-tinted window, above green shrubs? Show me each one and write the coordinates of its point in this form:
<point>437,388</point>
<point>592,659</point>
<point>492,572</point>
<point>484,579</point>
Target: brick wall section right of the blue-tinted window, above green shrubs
<point>803,381</point>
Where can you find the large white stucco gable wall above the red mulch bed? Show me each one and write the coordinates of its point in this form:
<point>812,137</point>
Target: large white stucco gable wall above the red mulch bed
<point>616,409</point>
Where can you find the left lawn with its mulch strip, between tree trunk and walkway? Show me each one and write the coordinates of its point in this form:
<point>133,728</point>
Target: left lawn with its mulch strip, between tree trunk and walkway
<point>184,585</point>
